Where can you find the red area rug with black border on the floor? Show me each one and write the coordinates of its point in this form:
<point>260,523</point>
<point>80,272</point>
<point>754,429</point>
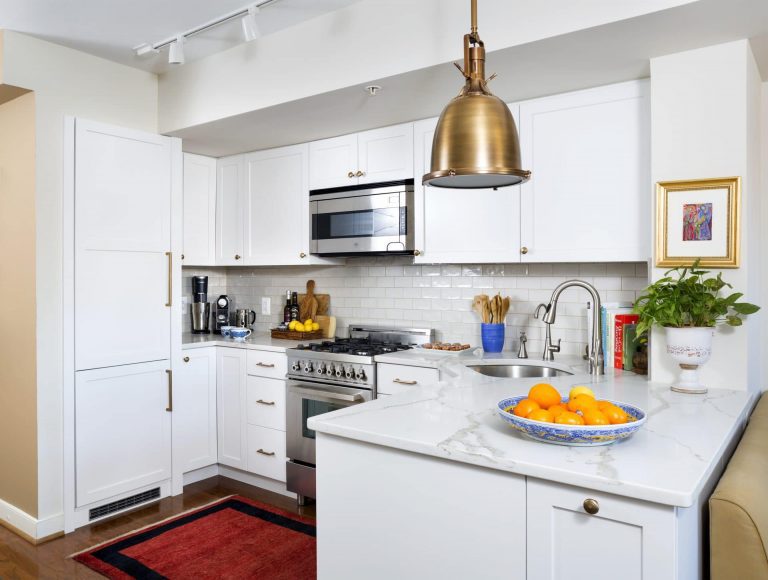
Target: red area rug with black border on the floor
<point>231,538</point>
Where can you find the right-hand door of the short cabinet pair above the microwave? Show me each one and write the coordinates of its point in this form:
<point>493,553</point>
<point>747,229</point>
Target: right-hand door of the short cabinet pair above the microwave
<point>386,154</point>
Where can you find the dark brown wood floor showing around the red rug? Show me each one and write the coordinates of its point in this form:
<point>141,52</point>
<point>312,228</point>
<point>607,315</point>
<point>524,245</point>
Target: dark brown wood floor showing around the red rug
<point>21,560</point>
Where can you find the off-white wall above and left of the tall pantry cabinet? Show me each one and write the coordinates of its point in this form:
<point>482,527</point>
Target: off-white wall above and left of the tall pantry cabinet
<point>66,82</point>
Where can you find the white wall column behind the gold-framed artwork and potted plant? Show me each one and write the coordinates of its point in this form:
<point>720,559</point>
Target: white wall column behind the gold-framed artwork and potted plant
<point>704,120</point>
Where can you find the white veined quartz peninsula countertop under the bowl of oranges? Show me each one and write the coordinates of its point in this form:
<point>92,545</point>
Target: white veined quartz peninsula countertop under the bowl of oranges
<point>667,461</point>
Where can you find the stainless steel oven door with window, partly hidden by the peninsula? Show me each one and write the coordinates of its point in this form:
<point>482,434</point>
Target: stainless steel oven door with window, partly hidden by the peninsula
<point>307,399</point>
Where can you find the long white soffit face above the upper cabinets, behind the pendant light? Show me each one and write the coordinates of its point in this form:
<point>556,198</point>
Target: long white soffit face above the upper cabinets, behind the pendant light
<point>371,39</point>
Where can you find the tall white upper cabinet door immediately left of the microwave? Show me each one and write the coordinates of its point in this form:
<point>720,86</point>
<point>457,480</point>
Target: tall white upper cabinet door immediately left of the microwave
<point>277,207</point>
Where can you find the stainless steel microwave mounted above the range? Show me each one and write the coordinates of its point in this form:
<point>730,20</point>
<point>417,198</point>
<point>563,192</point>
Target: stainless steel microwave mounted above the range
<point>376,218</point>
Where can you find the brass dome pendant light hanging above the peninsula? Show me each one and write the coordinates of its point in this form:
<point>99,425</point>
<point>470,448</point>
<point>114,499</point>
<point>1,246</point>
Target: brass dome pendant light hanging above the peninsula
<point>476,143</point>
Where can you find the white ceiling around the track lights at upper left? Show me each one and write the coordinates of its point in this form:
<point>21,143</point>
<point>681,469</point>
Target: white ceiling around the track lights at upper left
<point>111,28</point>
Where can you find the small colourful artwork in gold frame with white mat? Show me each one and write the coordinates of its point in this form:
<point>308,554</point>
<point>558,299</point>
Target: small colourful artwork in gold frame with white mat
<point>698,219</point>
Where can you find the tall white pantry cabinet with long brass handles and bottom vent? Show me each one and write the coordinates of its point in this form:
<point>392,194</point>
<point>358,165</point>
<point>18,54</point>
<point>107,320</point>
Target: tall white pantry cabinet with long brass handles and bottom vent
<point>122,316</point>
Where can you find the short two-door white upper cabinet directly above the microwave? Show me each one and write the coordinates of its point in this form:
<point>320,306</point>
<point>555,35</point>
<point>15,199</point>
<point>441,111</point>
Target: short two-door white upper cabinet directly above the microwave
<point>384,154</point>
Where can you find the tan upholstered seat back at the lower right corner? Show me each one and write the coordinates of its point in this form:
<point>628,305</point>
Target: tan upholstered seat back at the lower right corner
<point>739,507</point>
